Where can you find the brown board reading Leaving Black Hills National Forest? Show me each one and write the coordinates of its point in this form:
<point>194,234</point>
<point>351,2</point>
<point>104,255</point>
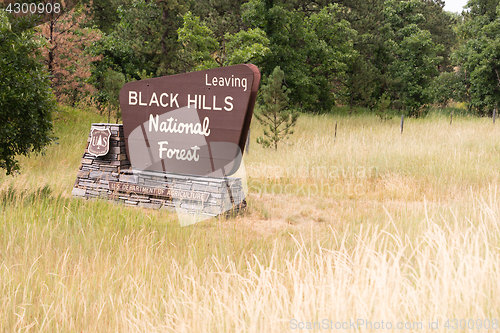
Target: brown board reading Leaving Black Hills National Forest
<point>195,123</point>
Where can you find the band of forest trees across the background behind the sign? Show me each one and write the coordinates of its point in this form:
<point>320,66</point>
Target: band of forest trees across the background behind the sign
<point>386,56</point>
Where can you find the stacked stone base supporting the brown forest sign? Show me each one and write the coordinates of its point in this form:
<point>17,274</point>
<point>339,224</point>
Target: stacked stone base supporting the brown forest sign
<point>111,177</point>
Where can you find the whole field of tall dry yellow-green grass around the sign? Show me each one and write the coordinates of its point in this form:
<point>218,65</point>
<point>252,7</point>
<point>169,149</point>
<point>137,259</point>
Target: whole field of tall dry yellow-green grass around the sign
<point>353,232</point>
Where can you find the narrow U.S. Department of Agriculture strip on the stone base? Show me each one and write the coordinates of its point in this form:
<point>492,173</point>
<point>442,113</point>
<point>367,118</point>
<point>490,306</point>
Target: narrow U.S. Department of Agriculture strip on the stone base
<point>157,191</point>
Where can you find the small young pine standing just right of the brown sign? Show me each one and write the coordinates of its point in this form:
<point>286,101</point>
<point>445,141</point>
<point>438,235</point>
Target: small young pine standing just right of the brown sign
<point>274,113</point>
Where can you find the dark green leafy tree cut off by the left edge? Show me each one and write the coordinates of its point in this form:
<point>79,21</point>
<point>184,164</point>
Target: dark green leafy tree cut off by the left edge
<point>26,99</point>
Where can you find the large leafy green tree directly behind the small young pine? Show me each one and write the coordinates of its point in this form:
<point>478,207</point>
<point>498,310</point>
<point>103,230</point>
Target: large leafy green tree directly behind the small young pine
<point>312,48</point>
